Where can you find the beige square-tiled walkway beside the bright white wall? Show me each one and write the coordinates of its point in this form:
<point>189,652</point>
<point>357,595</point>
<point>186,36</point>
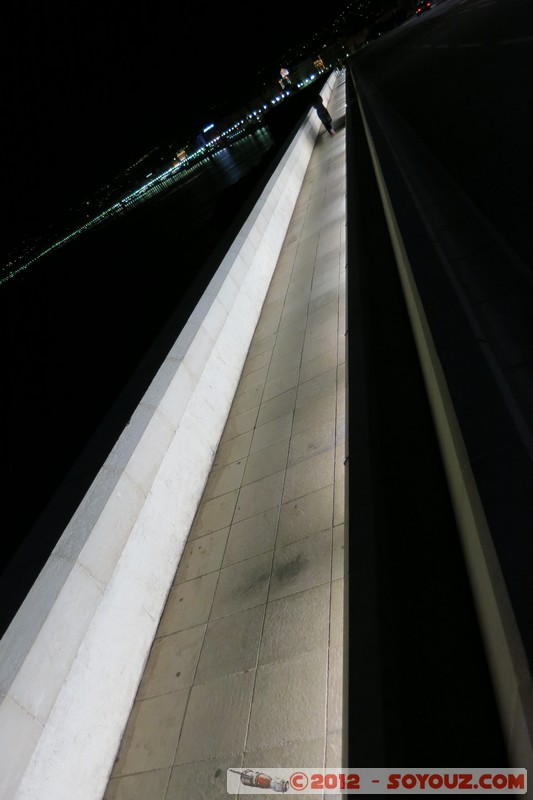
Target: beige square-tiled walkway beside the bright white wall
<point>246,666</point>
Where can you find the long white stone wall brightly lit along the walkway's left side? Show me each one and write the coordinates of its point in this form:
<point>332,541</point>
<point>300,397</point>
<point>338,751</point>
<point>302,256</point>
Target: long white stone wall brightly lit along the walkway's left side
<point>71,661</point>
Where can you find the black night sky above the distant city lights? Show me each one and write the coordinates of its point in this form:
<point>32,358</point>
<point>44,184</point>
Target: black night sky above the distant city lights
<point>89,87</point>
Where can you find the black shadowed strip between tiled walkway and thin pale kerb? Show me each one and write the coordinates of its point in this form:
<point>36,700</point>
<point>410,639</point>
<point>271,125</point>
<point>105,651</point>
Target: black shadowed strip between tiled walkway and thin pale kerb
<point>418,691</point>
